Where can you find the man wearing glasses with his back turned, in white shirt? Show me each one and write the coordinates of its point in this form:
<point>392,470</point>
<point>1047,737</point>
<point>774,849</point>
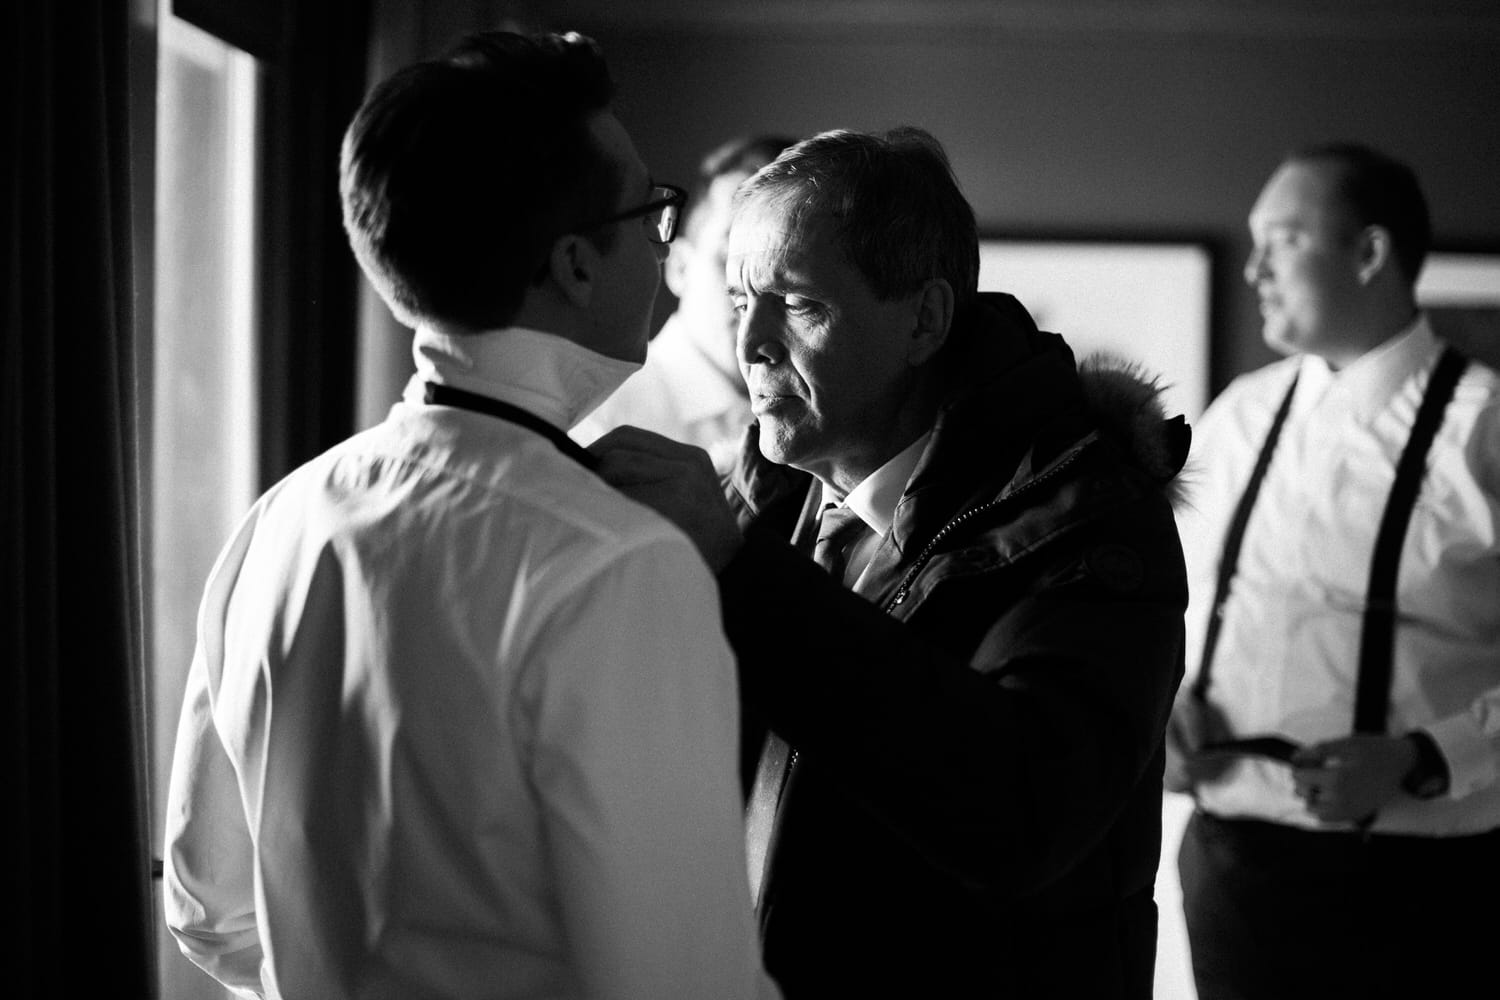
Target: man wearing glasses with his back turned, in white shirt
<point>461,719</point>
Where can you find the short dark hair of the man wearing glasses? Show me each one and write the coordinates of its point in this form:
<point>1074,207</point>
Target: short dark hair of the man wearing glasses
<point>460,173</point>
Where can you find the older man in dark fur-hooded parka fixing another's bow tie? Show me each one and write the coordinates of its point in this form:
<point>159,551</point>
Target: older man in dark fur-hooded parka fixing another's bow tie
<point>968,683</point>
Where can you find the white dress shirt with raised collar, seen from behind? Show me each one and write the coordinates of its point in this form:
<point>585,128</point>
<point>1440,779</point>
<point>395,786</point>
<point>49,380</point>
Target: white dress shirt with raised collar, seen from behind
<point>463,720</point>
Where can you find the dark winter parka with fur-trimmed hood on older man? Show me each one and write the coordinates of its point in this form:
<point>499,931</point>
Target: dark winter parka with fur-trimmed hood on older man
<point>976,798</point>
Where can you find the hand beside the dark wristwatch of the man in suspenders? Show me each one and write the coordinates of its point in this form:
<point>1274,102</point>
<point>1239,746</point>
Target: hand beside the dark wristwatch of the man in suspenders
<point>1352,779</point>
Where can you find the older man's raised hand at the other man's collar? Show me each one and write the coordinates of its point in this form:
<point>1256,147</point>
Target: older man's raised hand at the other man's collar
<point>676,481</point>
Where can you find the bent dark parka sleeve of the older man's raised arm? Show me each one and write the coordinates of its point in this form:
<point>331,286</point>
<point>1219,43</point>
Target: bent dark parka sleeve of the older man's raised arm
<point>1003,767</point>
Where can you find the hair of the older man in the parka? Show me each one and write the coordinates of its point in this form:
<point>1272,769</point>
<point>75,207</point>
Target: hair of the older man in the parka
<point>899,214</point>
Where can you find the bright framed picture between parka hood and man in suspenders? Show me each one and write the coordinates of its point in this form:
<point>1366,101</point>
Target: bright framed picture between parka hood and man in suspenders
<point>1145,302</point>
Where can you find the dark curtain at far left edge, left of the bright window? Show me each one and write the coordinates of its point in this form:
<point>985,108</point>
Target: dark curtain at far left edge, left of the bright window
<point>76,836</point>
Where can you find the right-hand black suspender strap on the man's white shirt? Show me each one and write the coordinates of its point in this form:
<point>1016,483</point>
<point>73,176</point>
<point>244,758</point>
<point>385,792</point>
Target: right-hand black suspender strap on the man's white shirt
<point>1378,635</point>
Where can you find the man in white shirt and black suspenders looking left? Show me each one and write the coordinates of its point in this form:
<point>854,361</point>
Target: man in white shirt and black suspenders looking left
<point>1358,618</point>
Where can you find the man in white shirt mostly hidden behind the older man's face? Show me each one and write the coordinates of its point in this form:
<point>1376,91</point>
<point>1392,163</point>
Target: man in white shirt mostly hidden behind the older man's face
<point>691,388</point>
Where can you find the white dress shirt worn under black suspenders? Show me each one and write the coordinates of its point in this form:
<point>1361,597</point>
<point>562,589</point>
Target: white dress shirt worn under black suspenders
<point>1289,644</point>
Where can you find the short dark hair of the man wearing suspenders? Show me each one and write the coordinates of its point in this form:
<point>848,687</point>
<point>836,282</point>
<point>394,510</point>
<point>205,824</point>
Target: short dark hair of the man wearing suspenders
<point>1379,191</point>
